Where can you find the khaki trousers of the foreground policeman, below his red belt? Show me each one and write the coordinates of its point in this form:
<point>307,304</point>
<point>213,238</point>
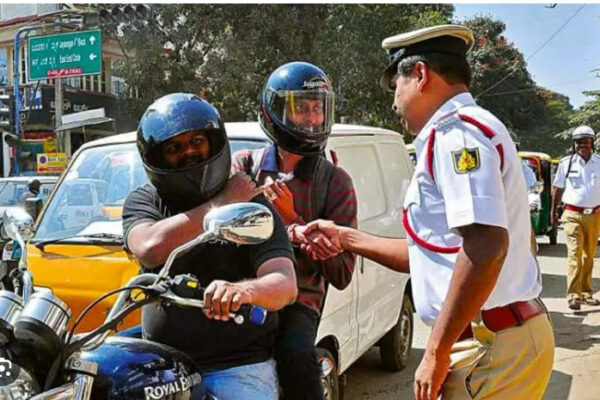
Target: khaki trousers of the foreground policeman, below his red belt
<point>513,364</point>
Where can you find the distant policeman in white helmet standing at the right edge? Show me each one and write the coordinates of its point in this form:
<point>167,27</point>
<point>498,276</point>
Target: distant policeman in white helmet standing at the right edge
<point>577,183</point>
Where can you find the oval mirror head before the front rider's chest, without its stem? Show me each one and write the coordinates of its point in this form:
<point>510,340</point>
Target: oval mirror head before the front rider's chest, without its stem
<point>242,223</point>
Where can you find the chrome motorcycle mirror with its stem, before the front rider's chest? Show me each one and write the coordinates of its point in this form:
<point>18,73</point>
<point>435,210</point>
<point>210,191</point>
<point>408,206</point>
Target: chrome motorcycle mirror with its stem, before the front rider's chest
<point>242,223</point>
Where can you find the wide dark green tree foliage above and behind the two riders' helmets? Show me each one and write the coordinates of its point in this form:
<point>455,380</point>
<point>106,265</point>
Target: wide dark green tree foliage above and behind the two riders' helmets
<point>226,52</point>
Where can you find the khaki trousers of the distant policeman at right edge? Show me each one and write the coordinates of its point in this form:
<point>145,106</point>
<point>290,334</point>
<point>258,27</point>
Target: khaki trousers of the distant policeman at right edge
<point>582,237</point>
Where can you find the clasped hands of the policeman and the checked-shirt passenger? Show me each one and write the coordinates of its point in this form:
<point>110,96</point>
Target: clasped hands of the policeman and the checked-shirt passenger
<point>321,239</point>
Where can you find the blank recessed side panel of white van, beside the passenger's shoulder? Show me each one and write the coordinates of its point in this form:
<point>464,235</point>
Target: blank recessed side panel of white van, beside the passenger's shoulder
<point>360,161</point>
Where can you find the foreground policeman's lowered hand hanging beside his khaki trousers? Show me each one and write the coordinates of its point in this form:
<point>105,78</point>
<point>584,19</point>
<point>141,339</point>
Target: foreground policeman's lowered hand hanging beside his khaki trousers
<point>430,375</point>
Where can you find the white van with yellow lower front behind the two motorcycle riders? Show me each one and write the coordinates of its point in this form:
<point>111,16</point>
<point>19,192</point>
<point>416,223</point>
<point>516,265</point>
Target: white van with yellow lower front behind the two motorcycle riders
<point>375,309</point>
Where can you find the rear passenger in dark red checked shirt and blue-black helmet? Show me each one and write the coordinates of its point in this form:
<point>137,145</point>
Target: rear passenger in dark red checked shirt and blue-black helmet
<point>297,114</point>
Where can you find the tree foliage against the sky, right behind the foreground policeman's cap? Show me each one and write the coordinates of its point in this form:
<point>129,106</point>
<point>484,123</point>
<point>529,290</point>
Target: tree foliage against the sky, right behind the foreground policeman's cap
<point>503,85</point>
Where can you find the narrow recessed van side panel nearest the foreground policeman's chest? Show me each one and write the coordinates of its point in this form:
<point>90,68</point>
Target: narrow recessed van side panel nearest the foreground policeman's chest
<point>397,171</point>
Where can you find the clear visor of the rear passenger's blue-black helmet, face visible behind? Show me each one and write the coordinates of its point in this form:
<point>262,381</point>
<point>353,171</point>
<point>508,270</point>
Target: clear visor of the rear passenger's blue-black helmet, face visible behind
<point>307,112</point>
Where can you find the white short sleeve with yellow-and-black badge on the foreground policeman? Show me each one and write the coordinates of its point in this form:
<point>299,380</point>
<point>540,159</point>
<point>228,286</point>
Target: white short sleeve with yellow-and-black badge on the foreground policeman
<point>473,193</point>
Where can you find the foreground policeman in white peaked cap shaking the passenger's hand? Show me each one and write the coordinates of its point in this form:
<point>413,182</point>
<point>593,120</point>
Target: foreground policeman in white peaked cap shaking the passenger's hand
<point>474,277</point>
